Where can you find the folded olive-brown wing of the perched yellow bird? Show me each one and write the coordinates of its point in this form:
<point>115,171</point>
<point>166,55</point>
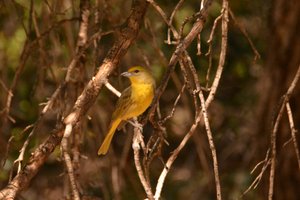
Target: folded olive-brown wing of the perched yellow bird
<point>123,104</point>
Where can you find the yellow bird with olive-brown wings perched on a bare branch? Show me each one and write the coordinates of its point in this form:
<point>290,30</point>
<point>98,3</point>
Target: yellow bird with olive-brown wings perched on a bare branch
<point>133,101</point>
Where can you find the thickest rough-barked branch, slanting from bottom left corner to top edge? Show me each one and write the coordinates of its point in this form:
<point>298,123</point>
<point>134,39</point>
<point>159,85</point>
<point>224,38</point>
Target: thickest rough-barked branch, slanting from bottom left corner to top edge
<point>126,35</point>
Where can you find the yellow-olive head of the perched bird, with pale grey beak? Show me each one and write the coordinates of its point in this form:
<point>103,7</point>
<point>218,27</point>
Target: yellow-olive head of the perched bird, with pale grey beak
<point>139,75</point>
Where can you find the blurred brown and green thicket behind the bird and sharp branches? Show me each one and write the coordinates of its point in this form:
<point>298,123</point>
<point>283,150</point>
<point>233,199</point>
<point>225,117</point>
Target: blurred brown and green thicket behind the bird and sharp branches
<point>241,115</point>
